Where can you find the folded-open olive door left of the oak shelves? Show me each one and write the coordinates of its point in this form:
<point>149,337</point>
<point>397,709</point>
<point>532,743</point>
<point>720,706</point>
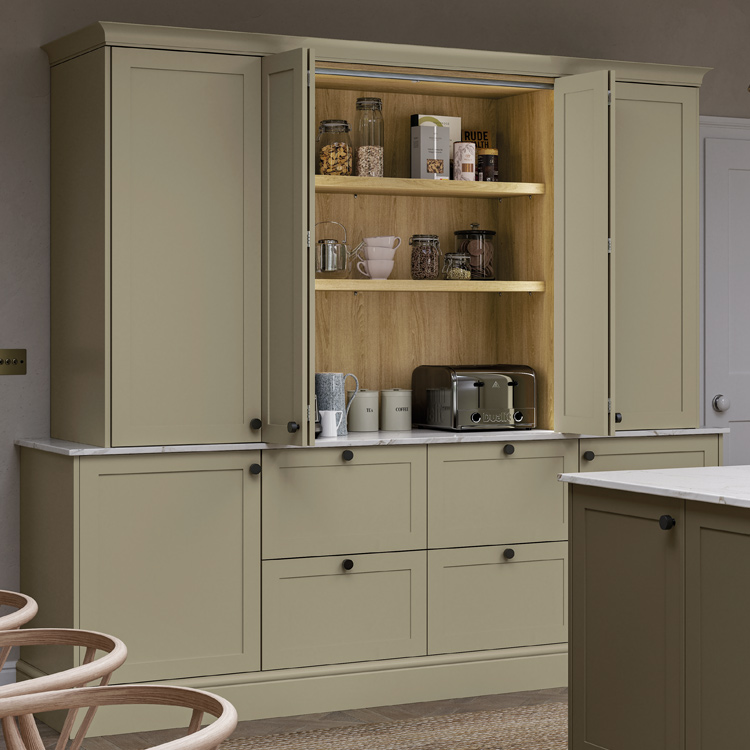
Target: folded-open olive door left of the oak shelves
<point>288,195</point>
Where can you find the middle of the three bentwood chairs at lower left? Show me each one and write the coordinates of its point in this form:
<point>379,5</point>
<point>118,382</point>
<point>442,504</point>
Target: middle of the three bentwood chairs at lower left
<point>90,669</point>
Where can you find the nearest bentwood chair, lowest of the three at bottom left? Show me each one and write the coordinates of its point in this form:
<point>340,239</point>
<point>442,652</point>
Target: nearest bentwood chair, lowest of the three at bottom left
<point>21,732</point>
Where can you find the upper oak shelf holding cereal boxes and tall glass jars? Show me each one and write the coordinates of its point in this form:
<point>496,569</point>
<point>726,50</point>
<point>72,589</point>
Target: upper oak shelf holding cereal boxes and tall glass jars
<point>425,188</point>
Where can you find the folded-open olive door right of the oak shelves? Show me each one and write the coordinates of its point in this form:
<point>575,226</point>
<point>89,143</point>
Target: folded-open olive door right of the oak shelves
<point>584,273</point>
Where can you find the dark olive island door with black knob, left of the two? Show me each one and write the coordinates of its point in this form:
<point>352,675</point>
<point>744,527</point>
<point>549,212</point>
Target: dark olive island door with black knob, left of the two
<point>622,632</point>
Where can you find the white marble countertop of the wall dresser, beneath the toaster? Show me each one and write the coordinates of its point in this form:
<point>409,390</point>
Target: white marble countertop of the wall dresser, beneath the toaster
<point>353,439</point>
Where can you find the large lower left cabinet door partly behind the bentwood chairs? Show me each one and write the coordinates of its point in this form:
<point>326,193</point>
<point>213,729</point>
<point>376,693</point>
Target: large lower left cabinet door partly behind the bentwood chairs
<point>170,561</point>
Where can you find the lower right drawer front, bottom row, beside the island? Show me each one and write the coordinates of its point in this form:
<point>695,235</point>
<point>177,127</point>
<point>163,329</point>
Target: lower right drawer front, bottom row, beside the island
<point>479,599</point>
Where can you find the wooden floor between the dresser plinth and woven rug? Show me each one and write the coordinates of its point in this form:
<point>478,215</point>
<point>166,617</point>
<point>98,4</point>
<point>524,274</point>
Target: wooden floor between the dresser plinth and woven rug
<point>140,740</point>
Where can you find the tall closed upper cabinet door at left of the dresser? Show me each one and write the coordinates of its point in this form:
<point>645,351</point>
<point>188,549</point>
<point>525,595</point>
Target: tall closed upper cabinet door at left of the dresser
<point>185,247</point>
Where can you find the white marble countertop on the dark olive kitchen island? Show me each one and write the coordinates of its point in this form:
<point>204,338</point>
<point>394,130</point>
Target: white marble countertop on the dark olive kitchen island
<point>725,485</point>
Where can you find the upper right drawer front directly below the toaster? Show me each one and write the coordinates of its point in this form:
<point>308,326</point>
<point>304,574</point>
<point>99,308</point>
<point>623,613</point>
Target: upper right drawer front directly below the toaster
<point>480,495</point>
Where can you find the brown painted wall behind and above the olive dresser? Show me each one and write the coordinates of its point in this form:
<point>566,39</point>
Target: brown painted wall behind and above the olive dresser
<point>689,32</point>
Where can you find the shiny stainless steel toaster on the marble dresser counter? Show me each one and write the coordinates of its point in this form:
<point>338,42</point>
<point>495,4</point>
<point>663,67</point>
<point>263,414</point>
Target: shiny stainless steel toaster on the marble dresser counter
<point>474,397</point>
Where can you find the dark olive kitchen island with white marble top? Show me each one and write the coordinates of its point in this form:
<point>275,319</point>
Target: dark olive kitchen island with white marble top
<point>659,608</point>
